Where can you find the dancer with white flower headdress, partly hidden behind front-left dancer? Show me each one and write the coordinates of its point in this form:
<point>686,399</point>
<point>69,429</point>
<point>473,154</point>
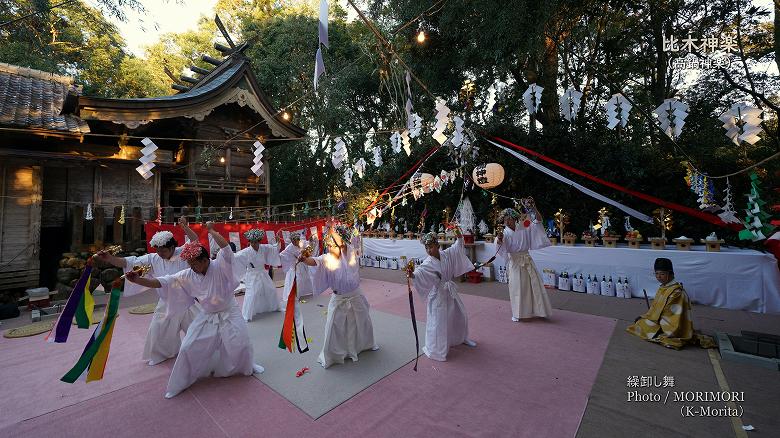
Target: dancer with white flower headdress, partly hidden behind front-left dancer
<point>164,336</point>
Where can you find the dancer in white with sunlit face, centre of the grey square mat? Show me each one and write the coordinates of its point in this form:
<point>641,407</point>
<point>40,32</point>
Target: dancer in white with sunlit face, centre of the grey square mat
<point>348,329</point>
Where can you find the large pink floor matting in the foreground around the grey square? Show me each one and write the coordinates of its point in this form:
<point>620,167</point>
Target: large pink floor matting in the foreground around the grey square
<point>524,379</point>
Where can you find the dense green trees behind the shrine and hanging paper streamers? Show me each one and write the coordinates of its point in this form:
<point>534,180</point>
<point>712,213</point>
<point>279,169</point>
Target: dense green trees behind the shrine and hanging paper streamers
<point>598,47</point>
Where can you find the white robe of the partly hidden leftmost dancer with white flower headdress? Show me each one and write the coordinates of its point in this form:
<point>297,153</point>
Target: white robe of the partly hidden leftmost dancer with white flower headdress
<point>163,339</point>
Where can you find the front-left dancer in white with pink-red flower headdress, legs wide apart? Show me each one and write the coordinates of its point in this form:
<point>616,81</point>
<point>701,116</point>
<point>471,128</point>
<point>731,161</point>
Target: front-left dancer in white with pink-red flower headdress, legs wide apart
<point>217,341</point>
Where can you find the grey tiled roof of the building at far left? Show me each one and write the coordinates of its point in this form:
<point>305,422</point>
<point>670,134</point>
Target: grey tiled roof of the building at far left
<point>34,99</point>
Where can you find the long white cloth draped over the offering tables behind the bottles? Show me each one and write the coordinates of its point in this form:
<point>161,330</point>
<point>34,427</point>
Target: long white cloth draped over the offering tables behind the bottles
<point>732,278</point>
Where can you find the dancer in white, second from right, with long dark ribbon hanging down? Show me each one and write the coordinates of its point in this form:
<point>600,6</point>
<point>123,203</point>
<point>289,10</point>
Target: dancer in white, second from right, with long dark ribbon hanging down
<point>446,323</point>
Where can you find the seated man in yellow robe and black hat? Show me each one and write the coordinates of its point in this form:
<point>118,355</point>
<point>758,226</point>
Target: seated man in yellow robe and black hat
<point>668,321</point>
